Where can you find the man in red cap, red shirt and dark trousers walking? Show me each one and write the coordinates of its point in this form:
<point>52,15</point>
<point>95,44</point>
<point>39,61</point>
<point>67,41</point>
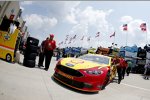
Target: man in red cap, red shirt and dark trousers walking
<point>50,45</point>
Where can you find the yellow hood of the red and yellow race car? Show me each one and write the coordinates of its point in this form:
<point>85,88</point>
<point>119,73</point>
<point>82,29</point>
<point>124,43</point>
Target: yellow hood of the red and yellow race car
<point>76,63</point>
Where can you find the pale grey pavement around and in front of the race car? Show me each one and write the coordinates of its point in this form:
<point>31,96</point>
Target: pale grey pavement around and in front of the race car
<point>22,83</point>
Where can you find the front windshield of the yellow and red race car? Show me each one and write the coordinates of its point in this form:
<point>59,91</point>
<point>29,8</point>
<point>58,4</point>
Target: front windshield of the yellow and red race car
<point>97,59</point>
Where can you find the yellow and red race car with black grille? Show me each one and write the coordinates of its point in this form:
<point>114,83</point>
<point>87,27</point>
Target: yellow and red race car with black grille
<point>90,72</point>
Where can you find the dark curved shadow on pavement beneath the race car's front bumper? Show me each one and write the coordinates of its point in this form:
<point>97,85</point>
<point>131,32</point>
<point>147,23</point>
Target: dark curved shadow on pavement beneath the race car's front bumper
<point>72,89</point>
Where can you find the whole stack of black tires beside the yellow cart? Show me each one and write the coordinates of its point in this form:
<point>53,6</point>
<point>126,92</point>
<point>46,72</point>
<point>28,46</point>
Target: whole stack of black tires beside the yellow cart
<point>31,52</point>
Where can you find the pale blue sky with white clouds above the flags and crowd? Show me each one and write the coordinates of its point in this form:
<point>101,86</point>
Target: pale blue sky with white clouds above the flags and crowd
<point>86,18</point>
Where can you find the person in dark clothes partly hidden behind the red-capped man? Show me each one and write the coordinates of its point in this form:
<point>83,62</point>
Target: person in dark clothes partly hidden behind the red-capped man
<point>41,55</point>
